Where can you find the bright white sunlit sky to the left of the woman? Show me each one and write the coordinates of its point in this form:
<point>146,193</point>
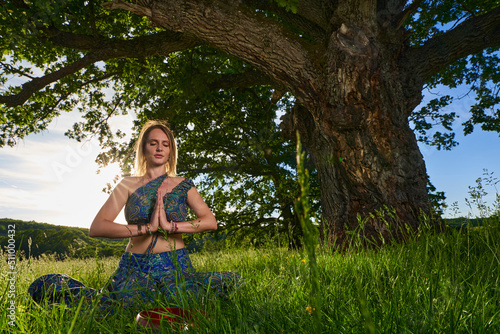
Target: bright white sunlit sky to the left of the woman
<point>50,178</point>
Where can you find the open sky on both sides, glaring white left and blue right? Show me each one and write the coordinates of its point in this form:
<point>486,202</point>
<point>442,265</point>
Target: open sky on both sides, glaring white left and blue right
<point>50,178</point>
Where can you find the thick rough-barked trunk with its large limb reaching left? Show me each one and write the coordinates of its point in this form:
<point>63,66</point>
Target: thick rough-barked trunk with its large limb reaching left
<point>354,91</point>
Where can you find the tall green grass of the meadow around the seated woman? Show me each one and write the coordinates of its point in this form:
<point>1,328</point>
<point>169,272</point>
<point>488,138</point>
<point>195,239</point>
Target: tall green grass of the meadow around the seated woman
<point>437,282</point>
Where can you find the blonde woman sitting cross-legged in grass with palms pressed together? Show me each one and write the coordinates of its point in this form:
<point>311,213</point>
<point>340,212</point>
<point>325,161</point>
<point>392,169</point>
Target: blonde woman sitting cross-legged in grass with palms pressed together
<point>155,263</point>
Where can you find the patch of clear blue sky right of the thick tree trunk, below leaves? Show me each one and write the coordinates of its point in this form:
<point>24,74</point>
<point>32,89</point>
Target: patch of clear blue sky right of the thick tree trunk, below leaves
<point>456,170</point>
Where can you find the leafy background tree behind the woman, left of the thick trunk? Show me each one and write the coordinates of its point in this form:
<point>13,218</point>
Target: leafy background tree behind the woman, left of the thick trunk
<point>231,138</point>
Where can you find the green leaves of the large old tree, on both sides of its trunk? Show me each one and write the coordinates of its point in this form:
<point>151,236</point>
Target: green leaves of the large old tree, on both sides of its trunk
<point>27,52</point>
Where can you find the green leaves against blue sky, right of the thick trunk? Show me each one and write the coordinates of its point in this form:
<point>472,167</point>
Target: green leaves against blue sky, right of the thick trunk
<point>479,72</point>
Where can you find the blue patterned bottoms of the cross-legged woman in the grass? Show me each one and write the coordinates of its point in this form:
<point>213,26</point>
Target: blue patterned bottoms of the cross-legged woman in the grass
<point>140,279</point>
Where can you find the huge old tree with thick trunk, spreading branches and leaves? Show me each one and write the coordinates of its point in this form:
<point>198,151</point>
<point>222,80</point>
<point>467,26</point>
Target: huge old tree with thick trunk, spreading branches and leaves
<point>355,69</point>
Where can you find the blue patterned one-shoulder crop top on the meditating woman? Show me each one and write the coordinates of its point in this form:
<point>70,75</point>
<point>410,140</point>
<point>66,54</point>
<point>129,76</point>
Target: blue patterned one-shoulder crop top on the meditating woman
<point>140,204</point>
